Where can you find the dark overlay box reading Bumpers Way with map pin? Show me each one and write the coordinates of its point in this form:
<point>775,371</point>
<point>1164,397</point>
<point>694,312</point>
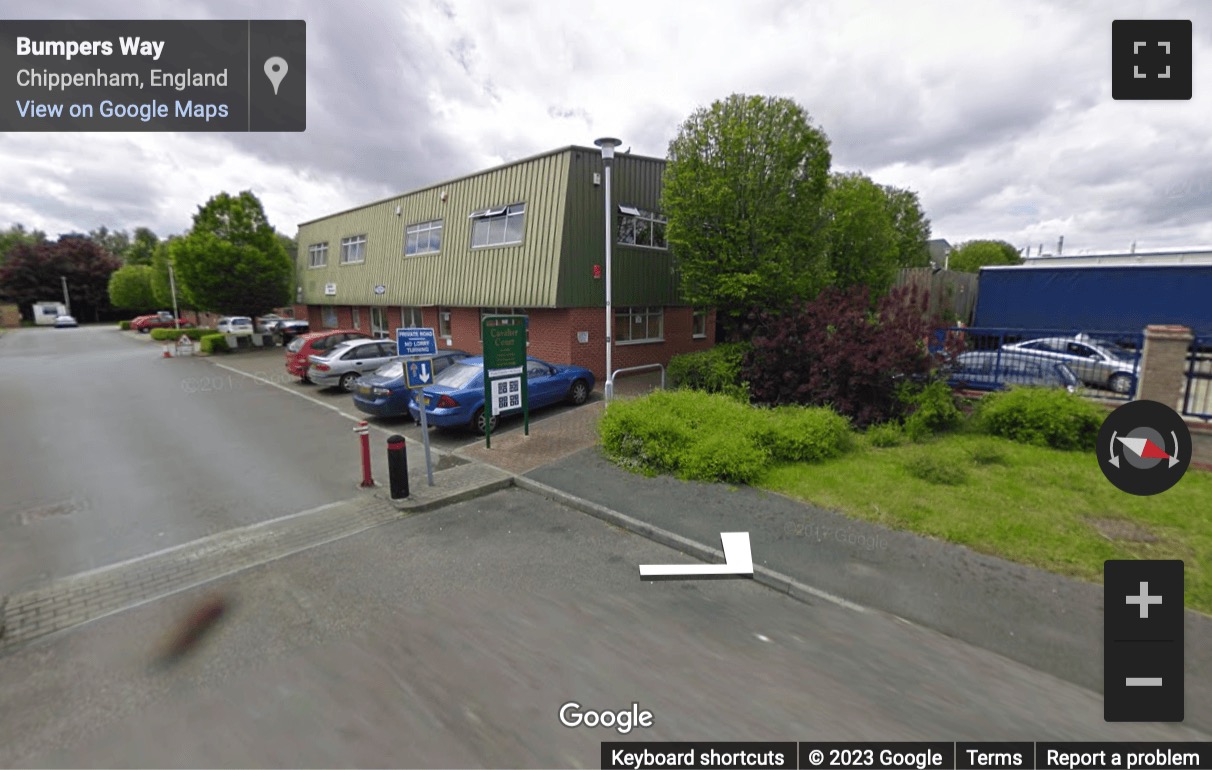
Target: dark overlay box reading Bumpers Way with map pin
<point>153,76</point>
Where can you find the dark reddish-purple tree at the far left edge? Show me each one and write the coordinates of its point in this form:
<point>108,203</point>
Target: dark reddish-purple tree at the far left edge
<point>36,275</point>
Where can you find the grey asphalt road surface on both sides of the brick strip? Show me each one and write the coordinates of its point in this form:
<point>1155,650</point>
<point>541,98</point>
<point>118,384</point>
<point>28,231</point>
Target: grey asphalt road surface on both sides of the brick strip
<point>445,640</point>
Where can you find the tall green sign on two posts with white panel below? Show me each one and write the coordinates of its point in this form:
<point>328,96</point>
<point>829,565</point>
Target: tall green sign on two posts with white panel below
<point>505,370</point>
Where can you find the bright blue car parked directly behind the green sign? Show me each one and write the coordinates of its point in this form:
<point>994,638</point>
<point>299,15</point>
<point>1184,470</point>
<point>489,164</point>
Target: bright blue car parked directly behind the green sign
<point>456,400</point>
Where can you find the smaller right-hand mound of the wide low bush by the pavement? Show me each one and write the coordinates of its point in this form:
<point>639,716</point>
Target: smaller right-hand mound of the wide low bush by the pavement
<point>801,434</point>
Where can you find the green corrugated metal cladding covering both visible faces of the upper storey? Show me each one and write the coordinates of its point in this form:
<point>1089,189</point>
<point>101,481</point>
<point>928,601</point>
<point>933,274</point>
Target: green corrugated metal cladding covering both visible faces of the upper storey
<point>553,266</point>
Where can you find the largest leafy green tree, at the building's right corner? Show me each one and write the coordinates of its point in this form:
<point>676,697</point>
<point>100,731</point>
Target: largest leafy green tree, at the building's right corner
<point>744,192</point>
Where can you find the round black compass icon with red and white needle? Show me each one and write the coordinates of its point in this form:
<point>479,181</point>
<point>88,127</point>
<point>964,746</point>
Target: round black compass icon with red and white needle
<point>1145,448</point>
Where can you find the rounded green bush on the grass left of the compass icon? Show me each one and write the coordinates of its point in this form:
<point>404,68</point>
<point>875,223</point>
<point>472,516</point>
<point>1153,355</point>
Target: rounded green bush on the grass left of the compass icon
<point>1042,418</point>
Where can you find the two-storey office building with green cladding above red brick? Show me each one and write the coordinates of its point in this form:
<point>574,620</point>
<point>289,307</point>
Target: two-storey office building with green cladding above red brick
<point>524,238</point>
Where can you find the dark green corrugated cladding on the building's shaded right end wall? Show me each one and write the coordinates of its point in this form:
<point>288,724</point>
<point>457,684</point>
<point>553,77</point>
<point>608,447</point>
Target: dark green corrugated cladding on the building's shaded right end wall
<point>643,277</point>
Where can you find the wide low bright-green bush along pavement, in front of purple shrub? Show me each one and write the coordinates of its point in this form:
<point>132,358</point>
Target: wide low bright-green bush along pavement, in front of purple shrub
<point>711,437</point>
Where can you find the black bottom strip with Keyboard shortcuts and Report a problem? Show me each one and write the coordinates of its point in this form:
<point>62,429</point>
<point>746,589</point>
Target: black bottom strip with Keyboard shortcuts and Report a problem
<point>914,756</point>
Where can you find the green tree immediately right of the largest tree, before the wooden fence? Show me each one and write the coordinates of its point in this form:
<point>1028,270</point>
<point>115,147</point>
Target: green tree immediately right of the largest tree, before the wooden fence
<point>864,243</point>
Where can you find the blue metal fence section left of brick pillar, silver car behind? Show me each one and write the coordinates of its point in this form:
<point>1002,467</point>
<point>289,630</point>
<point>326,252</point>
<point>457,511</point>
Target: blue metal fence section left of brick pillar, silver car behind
<point>1104,364</point>
